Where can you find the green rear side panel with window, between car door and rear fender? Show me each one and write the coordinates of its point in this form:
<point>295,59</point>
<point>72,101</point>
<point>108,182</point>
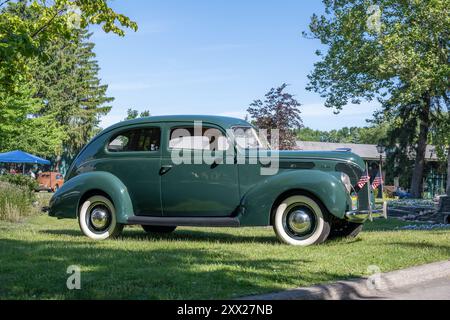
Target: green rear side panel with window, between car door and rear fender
<point>134,155</point>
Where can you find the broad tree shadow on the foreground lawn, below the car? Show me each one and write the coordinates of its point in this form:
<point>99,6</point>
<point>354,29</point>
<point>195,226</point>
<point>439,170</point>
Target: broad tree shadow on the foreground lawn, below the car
<point>38,270</point>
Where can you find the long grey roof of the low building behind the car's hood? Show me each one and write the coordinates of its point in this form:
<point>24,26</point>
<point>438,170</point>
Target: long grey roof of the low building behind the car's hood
<point>365,151</point>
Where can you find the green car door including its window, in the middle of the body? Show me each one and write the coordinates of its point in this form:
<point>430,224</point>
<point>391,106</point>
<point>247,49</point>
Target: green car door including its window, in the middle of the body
<point>197,188</point>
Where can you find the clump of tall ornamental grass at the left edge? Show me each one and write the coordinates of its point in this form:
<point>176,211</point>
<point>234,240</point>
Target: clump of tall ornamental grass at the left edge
<point>15,202</point>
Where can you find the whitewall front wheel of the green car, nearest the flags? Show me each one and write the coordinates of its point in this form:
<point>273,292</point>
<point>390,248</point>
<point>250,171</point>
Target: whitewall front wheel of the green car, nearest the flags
<point>300,221</point>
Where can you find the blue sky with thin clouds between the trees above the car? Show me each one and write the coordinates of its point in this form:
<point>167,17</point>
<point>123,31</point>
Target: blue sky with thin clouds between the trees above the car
<point>214,57</point>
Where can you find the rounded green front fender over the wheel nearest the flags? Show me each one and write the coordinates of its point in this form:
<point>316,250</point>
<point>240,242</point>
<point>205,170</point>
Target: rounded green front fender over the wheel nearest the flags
<point>259,200</point>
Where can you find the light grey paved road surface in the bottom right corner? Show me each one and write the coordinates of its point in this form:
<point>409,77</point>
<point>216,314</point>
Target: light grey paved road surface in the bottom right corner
<point>438,289</point>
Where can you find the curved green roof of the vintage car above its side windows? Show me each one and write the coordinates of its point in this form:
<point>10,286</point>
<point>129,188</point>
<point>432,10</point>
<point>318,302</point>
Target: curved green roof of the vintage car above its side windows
<point>225,122</point>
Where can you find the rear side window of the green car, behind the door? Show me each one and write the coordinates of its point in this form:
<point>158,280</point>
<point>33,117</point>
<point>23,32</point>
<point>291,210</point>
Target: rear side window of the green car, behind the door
<point>136,140</point>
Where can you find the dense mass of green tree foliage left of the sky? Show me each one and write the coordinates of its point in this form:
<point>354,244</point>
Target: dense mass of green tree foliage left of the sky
<point>44,100</point>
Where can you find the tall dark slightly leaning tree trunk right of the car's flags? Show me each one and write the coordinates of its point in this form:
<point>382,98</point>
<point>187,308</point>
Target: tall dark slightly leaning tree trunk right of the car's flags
<point>419,166</point>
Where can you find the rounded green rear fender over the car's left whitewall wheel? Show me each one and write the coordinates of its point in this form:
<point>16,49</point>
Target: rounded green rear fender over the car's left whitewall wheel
<point>65,203</point>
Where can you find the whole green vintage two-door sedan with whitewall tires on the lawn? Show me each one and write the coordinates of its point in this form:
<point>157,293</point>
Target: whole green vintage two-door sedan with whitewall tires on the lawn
<point>210,171</point>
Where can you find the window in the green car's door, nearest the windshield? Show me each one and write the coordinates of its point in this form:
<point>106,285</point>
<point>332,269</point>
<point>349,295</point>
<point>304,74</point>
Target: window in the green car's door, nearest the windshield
<point>186,138</point>
